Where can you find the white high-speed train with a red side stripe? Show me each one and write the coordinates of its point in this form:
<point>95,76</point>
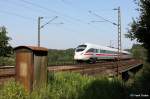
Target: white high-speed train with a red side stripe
<point>91,53</point>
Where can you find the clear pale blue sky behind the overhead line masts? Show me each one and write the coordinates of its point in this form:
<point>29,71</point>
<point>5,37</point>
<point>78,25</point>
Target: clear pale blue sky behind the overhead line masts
<point>20,19</point>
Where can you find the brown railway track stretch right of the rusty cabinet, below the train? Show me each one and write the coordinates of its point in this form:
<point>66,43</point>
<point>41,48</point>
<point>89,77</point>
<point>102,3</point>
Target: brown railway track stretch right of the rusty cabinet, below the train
<point>105,68</point>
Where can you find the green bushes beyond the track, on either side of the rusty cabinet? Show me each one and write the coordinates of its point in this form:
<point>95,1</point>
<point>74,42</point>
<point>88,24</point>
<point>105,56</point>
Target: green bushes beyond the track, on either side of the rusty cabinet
<point>55,57</point>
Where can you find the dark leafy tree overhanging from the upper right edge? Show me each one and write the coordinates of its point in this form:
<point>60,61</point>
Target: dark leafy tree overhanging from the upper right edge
<point>140,27</point>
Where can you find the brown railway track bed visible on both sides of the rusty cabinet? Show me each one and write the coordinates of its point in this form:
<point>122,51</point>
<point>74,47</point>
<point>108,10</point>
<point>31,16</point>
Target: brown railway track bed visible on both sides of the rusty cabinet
<point>103,68</point>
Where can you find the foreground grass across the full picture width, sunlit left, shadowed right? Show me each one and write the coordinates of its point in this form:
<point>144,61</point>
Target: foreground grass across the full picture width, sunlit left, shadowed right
<point>76,86</point>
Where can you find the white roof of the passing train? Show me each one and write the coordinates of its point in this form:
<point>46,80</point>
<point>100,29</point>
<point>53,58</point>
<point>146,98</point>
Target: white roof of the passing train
<point>104,47</point>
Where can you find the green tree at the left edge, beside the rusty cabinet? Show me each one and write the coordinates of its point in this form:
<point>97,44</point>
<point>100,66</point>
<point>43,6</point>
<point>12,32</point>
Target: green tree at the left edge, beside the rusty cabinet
<point>5,48</point>
